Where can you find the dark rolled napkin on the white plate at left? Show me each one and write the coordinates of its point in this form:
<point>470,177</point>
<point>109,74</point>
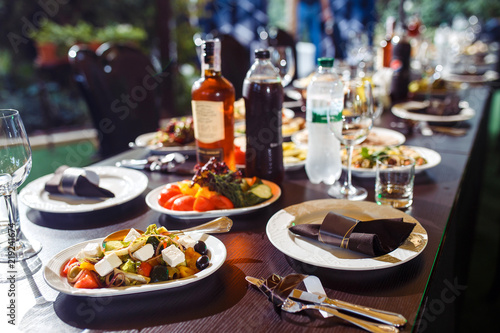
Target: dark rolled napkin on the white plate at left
<point>76,181</point>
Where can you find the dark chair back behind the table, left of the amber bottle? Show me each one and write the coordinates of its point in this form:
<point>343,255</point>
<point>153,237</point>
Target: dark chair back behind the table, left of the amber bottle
<point>119,85</point>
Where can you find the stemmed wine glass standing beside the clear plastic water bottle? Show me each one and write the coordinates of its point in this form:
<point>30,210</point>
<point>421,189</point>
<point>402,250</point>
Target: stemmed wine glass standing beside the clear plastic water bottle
<point>352,129</point>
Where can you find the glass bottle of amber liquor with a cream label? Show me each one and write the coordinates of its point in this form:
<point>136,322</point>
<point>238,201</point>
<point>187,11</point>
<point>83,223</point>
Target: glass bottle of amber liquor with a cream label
<point>212,101</point>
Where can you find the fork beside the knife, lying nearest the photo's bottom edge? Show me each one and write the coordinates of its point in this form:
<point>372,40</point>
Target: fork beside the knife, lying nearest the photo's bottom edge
<point>293,307</point>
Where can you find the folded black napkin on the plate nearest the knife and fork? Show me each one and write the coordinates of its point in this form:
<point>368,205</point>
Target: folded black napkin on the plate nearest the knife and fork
<point>374,238</point>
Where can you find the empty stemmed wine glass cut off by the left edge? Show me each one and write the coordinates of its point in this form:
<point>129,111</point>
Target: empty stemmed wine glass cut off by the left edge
<point>15,165</point>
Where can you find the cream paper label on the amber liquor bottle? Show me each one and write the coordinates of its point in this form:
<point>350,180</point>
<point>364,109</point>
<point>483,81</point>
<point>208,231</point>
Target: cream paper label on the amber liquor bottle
<point>208,118</point>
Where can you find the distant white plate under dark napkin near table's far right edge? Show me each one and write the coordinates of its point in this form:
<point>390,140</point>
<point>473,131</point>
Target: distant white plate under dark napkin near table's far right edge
<point>403,110</point>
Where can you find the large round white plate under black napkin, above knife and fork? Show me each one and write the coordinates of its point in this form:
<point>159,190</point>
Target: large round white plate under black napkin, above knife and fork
<point>314,253</point>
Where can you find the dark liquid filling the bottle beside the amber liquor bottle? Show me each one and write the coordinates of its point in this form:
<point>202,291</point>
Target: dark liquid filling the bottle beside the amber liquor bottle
<point>263,108</point>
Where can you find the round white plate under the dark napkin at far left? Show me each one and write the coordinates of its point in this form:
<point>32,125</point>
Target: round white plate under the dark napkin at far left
<point>126,184</point>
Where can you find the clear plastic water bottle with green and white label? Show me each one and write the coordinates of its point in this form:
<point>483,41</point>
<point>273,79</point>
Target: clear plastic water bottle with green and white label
<point>325,91</point>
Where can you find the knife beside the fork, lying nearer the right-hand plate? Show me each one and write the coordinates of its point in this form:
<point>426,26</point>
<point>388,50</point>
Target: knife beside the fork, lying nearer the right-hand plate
<point>375,314</point>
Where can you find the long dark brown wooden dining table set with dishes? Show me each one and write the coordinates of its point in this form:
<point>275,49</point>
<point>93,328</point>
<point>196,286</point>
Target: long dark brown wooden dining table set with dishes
<point>427,290</point>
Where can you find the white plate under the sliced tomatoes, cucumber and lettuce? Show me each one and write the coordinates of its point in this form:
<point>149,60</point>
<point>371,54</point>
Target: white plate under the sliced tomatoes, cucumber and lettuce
<point>152,202</point>
